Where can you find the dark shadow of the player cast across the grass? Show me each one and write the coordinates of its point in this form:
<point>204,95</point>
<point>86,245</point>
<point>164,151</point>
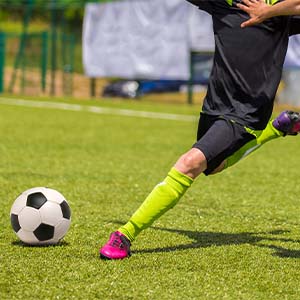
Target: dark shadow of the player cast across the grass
<point>209,239</point>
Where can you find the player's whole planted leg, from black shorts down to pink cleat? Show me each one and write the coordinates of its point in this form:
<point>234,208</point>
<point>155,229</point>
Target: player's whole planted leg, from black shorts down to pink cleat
<point>218,139</point>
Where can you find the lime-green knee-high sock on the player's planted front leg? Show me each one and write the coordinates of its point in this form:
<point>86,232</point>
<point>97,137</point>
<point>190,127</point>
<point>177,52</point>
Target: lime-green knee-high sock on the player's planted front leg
<point>162,198</point>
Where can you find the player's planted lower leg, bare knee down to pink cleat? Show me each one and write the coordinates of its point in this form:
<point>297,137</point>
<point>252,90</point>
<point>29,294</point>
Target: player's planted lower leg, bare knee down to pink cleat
<point>163,197</point>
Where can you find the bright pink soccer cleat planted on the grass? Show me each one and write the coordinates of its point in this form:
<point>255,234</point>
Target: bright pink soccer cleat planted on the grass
<point>118,247</point>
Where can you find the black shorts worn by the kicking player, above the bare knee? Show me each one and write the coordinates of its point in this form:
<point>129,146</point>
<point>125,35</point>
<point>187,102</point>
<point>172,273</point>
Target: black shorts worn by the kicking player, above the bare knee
<point>219,138</point>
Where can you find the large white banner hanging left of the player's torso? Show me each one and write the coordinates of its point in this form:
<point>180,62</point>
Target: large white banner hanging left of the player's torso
<point>138,39</point>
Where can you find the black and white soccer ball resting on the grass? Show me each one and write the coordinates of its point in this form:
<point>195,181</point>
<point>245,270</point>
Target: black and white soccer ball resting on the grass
<point>40,216</point>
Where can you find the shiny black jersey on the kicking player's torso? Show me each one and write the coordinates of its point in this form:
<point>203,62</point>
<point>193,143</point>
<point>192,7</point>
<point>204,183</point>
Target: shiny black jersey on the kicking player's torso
<point>247,63</point>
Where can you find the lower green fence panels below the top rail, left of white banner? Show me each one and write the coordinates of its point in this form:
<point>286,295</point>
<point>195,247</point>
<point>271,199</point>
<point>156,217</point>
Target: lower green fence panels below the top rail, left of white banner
<point>25,63</point>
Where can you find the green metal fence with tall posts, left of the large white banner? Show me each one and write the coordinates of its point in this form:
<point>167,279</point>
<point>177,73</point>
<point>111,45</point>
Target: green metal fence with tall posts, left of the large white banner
<point>43,61</point>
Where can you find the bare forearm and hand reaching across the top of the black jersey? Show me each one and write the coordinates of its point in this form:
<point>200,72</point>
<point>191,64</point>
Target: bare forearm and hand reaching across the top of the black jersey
<point>259,11</point>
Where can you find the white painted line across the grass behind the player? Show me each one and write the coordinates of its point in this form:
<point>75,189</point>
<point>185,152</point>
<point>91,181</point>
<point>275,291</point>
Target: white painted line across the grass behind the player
<point>97,109</point>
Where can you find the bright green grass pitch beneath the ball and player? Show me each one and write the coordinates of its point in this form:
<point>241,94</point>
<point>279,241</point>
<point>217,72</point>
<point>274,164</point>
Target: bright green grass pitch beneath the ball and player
<point>235,235</point>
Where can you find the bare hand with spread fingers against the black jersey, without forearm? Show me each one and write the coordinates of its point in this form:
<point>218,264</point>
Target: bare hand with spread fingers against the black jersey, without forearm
<point>255,9</point>
